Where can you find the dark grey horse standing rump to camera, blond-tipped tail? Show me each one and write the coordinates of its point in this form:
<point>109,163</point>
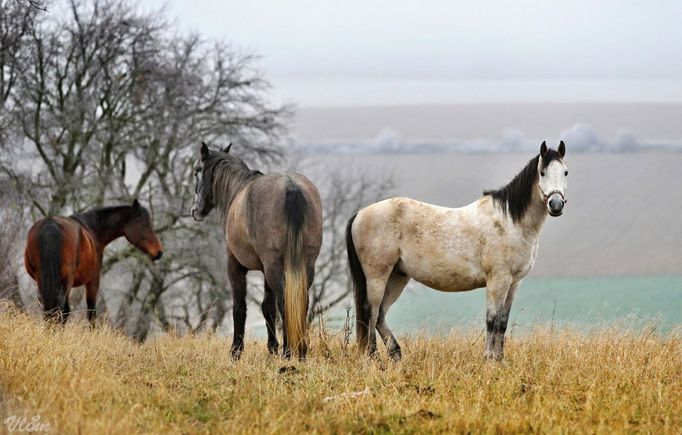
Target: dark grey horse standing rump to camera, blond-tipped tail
<point>273,224</point>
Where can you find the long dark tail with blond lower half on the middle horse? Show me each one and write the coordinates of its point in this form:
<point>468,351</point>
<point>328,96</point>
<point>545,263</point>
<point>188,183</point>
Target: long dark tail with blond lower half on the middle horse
<point>295,270</point>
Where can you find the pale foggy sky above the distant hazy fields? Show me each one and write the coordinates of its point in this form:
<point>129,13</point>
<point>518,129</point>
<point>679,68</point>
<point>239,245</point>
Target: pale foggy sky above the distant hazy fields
<point>353,41</point>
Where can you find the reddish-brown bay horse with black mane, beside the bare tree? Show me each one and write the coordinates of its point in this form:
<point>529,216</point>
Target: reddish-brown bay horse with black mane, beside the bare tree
<point>65,252</point>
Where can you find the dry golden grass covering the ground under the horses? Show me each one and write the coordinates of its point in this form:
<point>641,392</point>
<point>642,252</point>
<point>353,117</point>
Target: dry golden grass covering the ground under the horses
<point>83,381</point>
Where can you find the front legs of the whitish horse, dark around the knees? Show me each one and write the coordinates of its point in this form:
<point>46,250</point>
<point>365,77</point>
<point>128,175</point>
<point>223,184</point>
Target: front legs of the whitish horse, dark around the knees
<point>499,294</point>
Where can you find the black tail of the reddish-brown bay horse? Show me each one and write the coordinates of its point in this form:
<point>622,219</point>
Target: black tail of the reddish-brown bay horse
<point>51,284</point>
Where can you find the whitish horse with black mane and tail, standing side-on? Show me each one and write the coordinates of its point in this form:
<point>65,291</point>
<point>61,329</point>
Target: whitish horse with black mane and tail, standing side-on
<point>492,242</point>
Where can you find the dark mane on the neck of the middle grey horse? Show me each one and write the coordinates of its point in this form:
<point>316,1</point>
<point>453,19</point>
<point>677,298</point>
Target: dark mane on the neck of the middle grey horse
<point>230,175</point>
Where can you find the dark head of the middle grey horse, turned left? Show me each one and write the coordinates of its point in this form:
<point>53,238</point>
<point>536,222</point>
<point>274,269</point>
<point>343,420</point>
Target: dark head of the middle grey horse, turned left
<point>204,175</point>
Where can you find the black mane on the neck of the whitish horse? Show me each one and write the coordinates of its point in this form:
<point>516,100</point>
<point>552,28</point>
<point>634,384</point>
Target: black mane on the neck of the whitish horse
<point>515,197</point>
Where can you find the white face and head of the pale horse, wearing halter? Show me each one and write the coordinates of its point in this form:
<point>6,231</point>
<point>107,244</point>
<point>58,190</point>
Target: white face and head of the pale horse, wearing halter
<point>553,178</point>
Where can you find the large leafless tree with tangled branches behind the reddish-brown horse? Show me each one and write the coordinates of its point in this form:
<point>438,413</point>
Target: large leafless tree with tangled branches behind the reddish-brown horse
<point>110,104</point>
